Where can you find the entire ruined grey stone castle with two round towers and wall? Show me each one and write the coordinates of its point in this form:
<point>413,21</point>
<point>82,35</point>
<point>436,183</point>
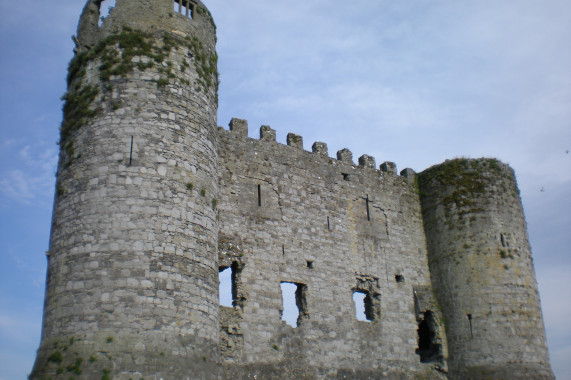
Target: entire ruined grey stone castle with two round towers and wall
<point>153,199</point>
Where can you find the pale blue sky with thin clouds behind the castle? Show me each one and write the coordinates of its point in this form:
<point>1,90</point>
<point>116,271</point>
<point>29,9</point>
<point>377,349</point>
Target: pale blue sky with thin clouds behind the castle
<point>414,82</point>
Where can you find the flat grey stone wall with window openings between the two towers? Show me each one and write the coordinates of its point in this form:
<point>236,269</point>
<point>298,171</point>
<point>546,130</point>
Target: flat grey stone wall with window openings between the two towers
<point>332,228</point>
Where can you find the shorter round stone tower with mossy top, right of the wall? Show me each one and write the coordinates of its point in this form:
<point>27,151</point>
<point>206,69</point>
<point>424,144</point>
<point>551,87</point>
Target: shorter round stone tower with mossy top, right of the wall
<point>482,271</point>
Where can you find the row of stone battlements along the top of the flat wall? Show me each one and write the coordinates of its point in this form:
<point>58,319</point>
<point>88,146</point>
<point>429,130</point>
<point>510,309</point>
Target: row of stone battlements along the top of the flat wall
<point>238,129</point>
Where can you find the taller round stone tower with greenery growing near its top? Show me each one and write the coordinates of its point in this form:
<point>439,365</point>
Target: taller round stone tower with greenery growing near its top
<point>132,284</point>
